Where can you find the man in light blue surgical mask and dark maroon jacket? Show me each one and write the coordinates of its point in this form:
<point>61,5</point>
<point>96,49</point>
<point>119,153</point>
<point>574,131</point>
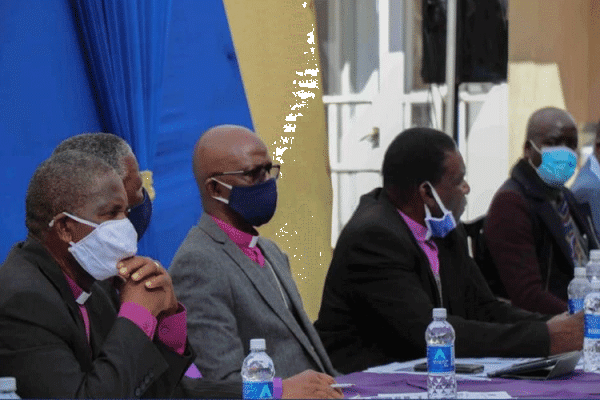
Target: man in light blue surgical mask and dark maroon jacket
<point>535,231</point>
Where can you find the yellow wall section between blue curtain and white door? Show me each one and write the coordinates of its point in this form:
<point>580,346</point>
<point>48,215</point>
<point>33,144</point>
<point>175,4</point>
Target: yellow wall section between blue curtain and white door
<point>276,46</point>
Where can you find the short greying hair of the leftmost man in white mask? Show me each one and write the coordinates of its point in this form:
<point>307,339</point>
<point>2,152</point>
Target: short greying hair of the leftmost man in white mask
<point>64,182</point>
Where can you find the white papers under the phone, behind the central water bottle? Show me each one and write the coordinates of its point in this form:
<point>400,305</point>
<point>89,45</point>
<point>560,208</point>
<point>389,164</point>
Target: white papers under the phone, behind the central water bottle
<point>490,364</point>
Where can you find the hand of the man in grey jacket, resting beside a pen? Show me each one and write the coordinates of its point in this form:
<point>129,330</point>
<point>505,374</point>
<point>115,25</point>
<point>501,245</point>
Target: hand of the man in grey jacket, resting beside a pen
<point>310,385</point>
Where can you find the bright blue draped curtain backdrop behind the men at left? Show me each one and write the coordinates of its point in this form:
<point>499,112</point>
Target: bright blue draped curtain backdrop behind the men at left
<point>46,95</point>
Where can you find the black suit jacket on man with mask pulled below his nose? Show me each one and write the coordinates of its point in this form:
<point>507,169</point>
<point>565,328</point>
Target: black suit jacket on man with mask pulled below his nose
<point>380,291</point>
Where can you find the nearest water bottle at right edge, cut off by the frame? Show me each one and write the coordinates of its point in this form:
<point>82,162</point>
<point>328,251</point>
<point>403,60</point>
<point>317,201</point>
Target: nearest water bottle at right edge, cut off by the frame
<point>591,332</point>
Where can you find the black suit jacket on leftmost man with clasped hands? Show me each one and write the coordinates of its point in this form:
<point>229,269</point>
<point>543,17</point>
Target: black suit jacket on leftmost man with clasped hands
<point>43,342</point>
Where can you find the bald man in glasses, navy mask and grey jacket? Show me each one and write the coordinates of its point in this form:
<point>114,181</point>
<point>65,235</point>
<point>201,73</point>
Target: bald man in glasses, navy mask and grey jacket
<point>237,285</point>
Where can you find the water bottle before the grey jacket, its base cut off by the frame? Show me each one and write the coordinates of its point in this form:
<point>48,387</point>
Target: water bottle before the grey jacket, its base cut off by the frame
<point>258,372</point>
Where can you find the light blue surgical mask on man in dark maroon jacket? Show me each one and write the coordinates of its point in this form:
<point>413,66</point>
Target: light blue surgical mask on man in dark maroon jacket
<point>558,164</point>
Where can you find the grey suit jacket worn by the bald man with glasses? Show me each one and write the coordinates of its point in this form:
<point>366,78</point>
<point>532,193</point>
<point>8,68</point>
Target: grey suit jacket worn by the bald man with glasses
<point>228,303</point>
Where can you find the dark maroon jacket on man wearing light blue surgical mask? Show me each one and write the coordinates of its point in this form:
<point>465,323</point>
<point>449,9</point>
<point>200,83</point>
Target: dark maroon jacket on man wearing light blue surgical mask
<point>524,234</point>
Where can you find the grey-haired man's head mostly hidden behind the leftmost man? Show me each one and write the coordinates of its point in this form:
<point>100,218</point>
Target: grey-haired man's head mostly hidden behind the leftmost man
<point>118,154</point>
